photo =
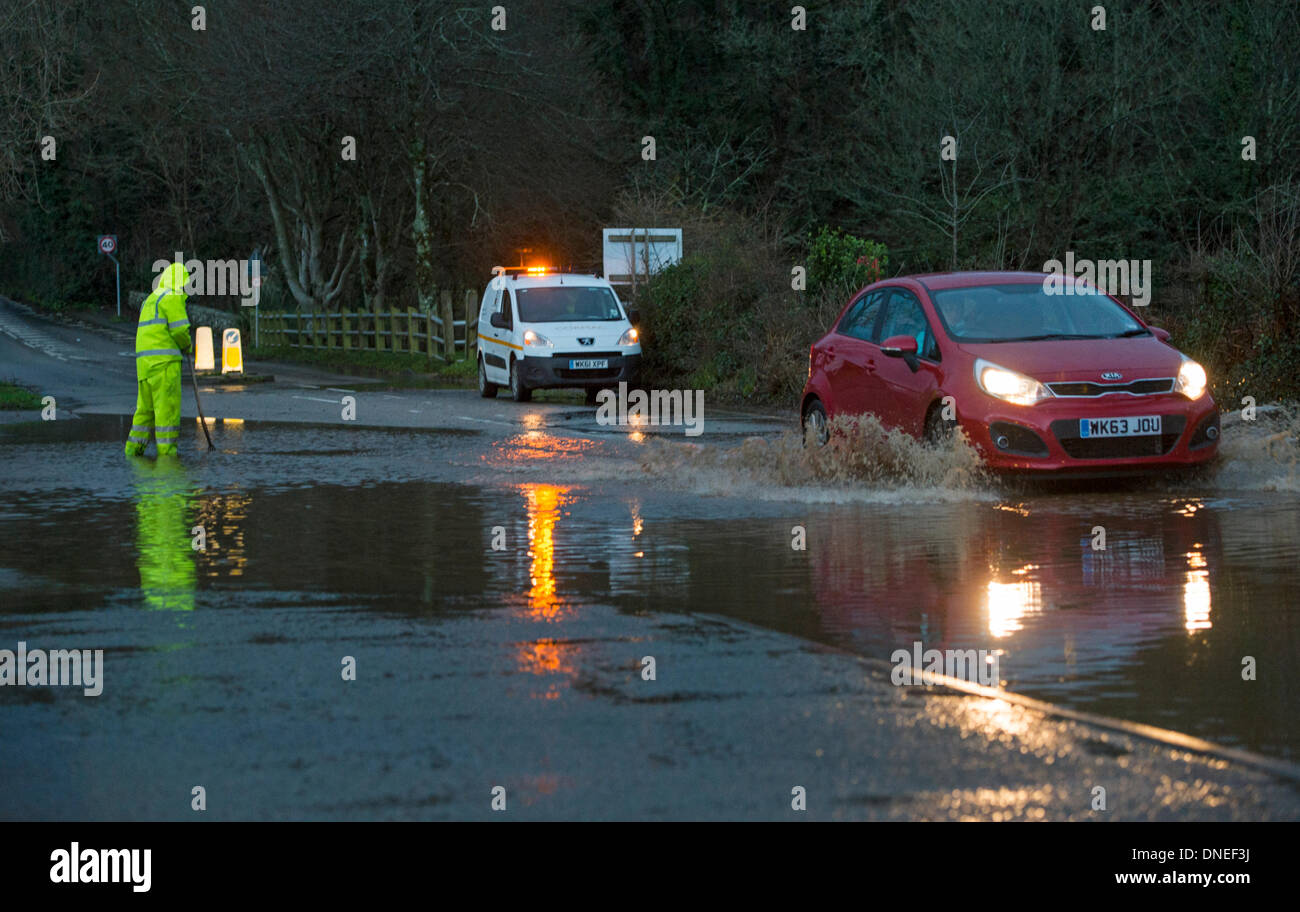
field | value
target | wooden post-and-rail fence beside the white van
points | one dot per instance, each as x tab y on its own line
436	336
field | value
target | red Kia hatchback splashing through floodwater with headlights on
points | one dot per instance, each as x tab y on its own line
1043	380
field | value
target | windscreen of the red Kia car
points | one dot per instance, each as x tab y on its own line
1025	312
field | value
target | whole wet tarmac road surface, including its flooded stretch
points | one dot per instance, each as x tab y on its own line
523	666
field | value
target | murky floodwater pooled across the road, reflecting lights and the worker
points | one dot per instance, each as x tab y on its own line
1197	583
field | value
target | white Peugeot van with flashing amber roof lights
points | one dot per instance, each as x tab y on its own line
541	331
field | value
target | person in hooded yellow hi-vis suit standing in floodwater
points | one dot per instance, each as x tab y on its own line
161	337
